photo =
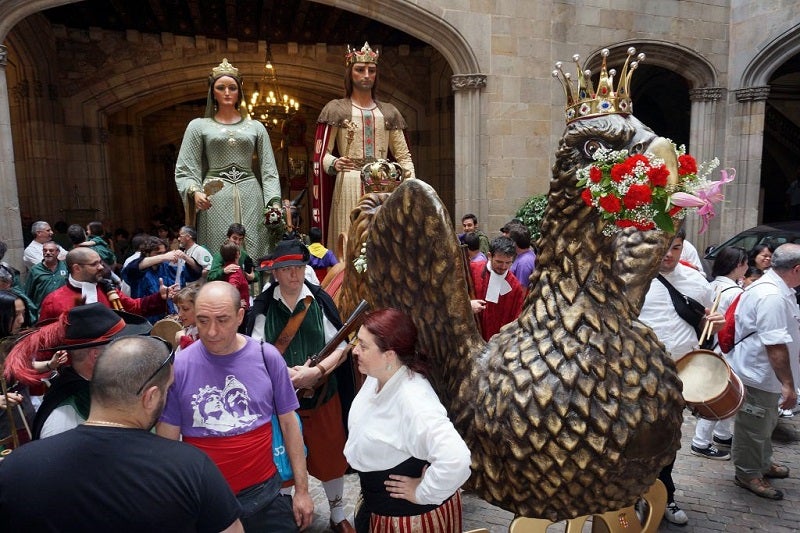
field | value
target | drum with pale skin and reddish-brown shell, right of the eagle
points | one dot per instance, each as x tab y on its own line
710	388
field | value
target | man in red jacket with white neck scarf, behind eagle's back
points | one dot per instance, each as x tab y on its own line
499	295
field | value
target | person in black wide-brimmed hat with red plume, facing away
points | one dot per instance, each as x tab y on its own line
88	328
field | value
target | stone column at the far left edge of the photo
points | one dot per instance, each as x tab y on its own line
10	223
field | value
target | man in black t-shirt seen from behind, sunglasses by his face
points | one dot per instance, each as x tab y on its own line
111	473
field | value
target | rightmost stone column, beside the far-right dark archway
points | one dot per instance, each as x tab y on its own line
745	145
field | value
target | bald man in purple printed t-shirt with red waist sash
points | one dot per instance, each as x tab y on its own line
225	391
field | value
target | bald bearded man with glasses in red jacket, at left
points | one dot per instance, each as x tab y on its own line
85	271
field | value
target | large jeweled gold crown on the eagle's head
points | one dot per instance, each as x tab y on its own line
584	101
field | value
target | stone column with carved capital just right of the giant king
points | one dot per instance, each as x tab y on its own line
470	182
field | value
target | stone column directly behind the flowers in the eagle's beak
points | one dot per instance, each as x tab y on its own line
704	146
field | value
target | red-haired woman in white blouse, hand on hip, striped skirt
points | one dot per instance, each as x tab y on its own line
409	457
